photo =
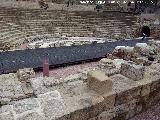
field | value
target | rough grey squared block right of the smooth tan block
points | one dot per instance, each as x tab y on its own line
132	71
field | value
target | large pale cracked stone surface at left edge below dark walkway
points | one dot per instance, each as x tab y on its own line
10	89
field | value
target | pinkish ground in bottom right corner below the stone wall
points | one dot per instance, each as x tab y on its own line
151	114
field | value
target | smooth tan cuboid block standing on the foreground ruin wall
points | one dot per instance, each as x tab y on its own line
99	82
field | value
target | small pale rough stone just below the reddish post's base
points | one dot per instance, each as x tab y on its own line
51	81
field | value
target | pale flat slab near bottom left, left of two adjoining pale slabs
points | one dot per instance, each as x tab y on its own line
25	105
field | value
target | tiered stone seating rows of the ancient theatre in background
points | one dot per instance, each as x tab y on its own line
18	23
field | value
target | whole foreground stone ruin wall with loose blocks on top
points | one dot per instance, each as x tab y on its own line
115	89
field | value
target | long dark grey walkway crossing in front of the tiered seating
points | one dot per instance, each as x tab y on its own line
13	60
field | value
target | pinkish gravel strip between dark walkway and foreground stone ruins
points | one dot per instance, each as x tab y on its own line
66	71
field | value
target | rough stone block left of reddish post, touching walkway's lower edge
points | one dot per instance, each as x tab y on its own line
25	74
